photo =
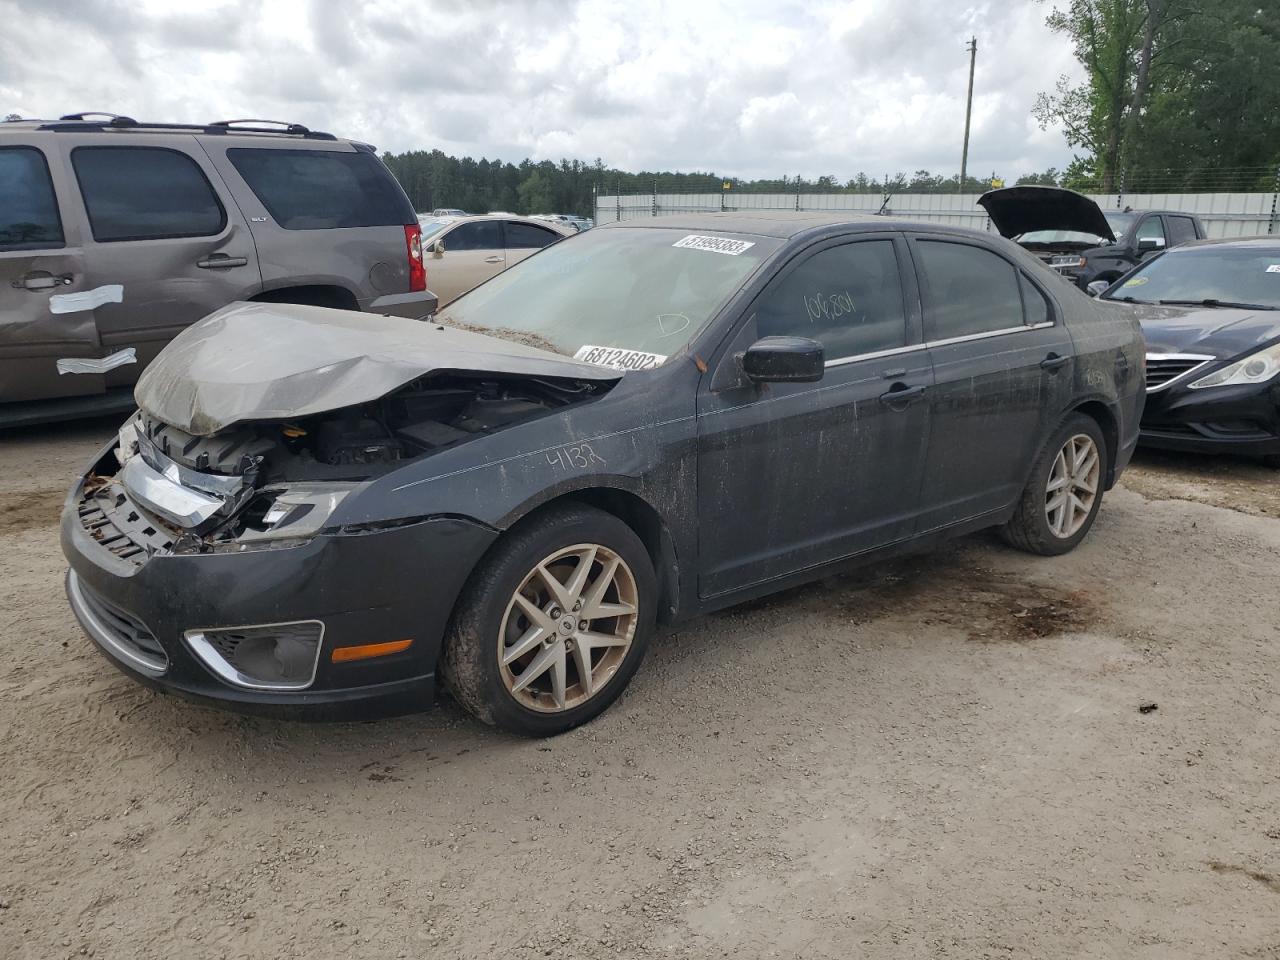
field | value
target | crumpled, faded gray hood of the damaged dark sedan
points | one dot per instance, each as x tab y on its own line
278	362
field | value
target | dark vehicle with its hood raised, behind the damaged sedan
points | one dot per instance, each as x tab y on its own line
1076	237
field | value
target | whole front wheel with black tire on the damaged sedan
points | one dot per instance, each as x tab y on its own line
554	627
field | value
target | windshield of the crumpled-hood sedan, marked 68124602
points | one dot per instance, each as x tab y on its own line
625	289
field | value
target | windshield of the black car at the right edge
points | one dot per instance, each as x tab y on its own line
1213	276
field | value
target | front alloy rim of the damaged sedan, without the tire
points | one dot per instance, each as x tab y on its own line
569	628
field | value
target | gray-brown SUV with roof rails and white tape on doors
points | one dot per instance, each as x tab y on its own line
117	235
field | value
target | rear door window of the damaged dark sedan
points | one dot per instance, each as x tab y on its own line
968	291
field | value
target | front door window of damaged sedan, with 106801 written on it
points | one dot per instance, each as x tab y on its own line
849	299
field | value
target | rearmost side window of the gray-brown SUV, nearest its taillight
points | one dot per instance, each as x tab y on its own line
322	190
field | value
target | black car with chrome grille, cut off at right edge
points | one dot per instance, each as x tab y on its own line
1212	317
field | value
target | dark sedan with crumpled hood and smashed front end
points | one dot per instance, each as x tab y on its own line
317	510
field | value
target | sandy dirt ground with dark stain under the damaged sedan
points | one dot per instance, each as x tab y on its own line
944	757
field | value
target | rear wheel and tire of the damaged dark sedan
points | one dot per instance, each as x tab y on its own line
1058	509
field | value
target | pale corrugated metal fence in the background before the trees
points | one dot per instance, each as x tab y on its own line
1223	214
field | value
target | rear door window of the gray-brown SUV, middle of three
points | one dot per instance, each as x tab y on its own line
145	194
